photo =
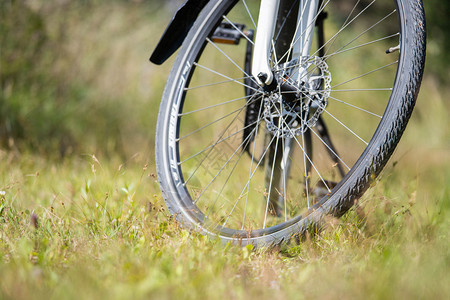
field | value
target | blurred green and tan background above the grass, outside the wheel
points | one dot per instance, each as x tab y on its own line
75	76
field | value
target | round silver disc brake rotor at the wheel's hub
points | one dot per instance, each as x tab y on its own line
297	103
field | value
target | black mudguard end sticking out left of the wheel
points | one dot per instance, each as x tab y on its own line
177	30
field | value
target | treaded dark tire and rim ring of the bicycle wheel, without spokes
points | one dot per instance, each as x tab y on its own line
356	181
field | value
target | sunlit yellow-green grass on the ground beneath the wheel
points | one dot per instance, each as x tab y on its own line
90	229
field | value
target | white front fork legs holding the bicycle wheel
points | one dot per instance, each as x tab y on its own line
300	45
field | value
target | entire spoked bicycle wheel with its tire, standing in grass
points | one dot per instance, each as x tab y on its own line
257	166
